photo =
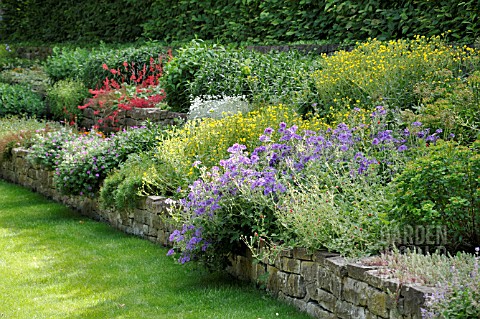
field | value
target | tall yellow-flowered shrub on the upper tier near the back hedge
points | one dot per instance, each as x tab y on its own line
378	72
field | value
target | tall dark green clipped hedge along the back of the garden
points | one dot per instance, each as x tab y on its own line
252	21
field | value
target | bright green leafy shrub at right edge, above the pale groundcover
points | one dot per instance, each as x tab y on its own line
442	188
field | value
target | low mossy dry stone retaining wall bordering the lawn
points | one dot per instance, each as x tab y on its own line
322	284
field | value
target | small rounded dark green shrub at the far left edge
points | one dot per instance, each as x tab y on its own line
20	100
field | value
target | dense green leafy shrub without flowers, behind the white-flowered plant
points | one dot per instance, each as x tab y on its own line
200	70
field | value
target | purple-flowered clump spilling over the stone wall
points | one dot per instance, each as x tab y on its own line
238	197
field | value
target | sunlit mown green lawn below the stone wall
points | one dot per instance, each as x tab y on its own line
55	263
